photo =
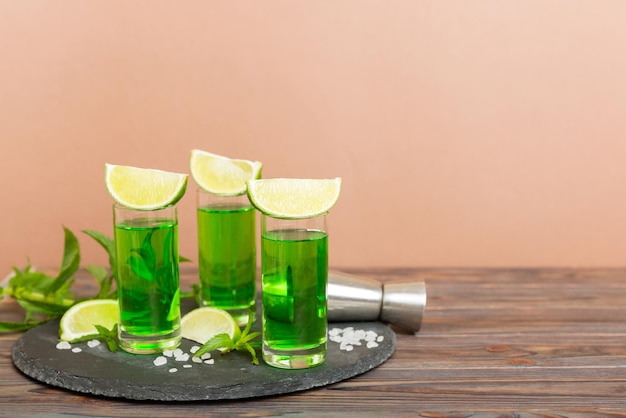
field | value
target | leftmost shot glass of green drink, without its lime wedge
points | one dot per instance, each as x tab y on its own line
148	281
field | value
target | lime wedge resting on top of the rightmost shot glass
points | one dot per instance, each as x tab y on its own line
294	198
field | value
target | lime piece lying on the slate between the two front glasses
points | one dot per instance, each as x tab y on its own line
202	324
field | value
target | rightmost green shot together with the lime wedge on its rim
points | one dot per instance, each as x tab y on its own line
294	267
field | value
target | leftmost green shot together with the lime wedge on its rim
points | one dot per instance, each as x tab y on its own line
145	224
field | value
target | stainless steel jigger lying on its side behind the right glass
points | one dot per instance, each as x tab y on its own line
353	298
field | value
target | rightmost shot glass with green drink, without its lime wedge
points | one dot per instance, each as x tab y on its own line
294	264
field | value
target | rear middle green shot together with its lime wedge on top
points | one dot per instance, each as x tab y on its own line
226	233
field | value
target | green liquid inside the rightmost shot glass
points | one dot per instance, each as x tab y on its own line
295	275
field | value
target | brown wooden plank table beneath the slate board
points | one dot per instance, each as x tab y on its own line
539	342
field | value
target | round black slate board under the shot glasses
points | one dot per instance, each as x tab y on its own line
98	371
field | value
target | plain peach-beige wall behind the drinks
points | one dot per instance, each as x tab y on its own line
467	133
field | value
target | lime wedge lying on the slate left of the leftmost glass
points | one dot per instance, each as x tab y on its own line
80	319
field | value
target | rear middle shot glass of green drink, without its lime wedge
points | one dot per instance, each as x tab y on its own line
227	253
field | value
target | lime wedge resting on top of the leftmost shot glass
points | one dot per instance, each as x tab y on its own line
144	188
